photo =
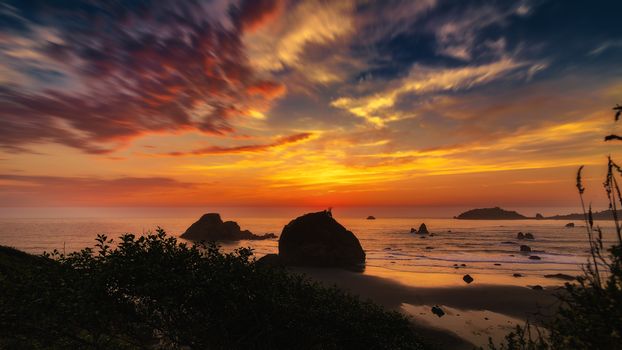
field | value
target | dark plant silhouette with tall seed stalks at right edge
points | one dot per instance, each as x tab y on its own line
590	312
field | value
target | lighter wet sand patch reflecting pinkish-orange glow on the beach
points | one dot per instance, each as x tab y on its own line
473	325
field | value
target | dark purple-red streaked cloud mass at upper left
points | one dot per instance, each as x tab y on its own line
128	68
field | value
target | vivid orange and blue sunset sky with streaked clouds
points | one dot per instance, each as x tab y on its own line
428	103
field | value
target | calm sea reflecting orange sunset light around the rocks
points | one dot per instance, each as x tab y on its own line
489	249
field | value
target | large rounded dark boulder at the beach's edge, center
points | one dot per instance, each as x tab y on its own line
317	239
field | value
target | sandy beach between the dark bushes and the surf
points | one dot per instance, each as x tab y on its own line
474	311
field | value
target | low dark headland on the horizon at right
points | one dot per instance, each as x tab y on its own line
497	213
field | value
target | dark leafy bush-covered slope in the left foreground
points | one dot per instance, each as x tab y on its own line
151	292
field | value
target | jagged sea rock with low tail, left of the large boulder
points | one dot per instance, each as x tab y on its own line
210	227
